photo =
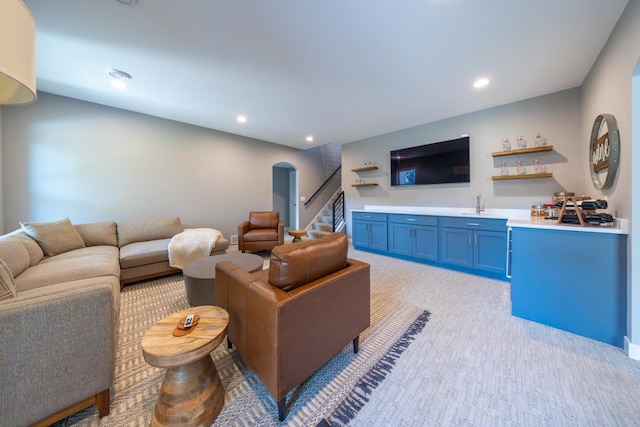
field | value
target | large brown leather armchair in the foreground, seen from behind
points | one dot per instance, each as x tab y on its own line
289	320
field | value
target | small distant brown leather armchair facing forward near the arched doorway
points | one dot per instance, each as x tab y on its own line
264	230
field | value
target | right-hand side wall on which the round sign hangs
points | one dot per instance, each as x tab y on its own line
608	89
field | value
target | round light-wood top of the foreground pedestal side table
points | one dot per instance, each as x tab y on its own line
163	350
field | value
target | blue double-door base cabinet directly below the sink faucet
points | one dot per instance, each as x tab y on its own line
476	245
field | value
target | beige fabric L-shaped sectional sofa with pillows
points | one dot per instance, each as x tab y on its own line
59	322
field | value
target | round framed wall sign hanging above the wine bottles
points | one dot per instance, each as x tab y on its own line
604	151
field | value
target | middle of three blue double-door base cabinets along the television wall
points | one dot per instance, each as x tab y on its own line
413	236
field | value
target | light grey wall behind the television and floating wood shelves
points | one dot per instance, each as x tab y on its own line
555	116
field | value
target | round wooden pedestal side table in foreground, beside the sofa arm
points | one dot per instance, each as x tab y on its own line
191	393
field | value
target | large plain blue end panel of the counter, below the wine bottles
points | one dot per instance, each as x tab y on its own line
572	280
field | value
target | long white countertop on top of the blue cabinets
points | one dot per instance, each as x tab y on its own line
514	217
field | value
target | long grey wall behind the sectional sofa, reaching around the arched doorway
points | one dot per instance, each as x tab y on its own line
64	157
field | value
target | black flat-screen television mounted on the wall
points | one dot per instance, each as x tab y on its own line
438	163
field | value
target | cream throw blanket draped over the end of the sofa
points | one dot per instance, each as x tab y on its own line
190	245
